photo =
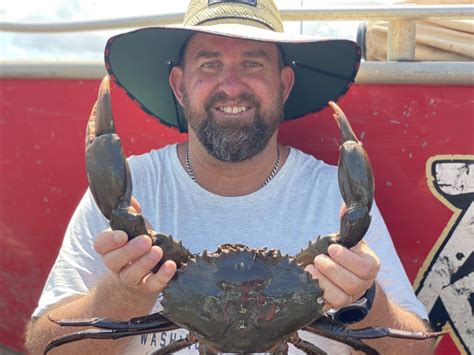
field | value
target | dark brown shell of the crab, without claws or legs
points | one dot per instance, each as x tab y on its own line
252	297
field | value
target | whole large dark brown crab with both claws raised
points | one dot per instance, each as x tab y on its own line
236	299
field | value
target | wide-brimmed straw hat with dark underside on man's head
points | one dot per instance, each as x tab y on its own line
140	61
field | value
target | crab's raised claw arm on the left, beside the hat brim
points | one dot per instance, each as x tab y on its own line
110	180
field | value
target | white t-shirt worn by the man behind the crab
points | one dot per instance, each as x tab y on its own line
300	203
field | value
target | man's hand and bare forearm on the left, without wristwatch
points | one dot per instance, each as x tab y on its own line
129	290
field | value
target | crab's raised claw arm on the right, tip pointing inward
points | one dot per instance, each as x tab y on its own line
356	184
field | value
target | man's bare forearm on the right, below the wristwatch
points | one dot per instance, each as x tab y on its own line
385	313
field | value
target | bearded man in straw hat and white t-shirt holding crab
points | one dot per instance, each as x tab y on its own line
230	182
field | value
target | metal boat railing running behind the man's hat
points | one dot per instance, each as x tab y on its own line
400	67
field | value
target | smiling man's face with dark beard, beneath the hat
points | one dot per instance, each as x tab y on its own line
233	93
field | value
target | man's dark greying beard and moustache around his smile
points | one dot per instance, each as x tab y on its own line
232	140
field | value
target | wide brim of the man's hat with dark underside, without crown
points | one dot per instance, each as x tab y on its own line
140	61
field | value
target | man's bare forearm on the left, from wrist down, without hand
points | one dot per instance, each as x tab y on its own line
106	300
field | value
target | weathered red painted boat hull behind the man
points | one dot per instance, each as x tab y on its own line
42	125
